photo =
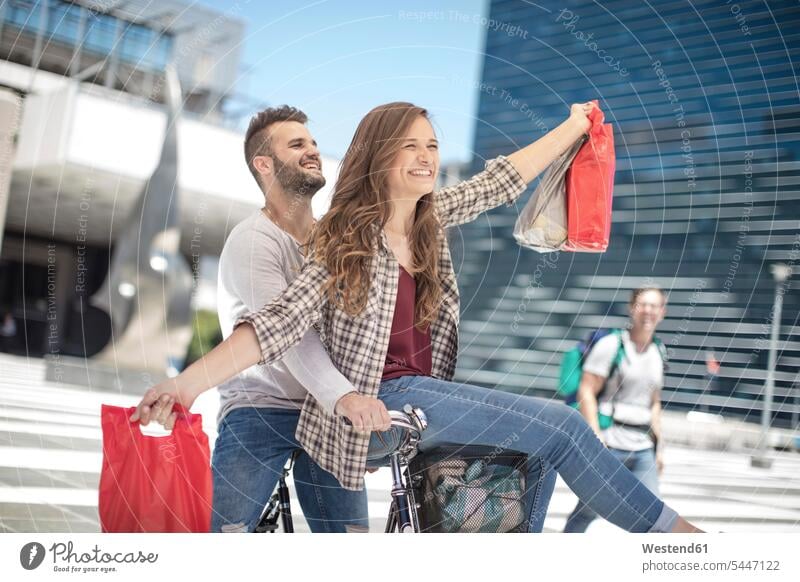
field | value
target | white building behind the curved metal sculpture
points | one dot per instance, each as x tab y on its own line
88	79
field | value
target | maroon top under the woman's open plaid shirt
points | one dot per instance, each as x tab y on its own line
409	349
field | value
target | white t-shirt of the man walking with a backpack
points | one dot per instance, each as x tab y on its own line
629	393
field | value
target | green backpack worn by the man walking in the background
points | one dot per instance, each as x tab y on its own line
572	368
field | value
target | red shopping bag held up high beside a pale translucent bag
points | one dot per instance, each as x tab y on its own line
590	184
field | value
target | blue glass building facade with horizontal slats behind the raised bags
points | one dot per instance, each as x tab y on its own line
704	101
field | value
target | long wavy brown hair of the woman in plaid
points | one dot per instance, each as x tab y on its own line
347	237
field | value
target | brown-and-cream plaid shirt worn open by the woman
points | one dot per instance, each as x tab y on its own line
358	345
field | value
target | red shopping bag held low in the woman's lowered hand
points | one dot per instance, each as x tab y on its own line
154	484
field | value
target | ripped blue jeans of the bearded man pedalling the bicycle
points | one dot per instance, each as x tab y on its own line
251	450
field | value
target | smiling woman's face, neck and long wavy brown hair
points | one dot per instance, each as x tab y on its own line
387	183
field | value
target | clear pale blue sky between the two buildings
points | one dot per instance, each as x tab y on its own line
336	60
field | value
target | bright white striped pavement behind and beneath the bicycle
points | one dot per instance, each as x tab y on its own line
50	459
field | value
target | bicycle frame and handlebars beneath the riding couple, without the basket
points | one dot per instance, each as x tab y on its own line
405	433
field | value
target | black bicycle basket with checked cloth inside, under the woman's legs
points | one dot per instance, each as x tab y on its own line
470	489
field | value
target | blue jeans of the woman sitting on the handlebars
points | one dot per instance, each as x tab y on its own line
554	436
